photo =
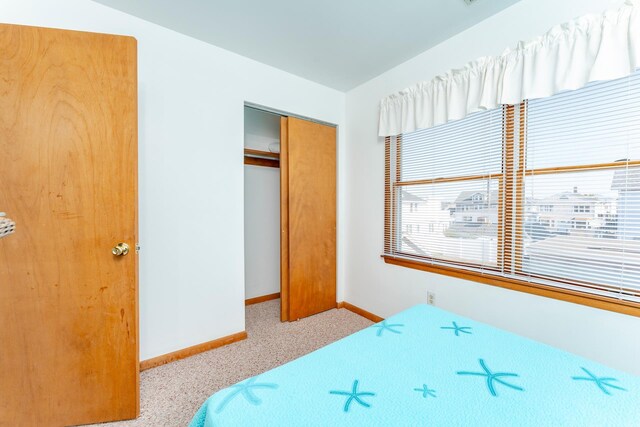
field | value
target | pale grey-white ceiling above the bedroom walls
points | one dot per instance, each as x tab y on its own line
337	43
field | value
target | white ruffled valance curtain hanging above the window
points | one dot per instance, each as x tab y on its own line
590	48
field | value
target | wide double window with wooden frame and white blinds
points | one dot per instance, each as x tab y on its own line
543	196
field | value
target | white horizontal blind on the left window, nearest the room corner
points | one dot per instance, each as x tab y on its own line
446	191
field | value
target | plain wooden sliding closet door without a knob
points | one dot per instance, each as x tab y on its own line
308	211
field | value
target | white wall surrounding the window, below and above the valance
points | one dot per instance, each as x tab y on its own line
610	338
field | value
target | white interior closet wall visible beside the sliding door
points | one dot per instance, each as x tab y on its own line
261	208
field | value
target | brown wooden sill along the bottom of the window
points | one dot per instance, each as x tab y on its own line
603	303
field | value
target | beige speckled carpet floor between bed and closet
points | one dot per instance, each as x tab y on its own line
172	393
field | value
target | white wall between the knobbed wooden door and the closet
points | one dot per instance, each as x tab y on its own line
191	115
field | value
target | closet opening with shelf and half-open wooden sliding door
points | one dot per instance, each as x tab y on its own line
290	212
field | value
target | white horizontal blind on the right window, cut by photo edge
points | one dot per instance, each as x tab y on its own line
581	225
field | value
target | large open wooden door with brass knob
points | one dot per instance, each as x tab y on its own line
68	178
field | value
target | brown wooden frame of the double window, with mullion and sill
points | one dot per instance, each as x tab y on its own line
511	196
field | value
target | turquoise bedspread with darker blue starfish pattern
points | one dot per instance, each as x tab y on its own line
426	366
